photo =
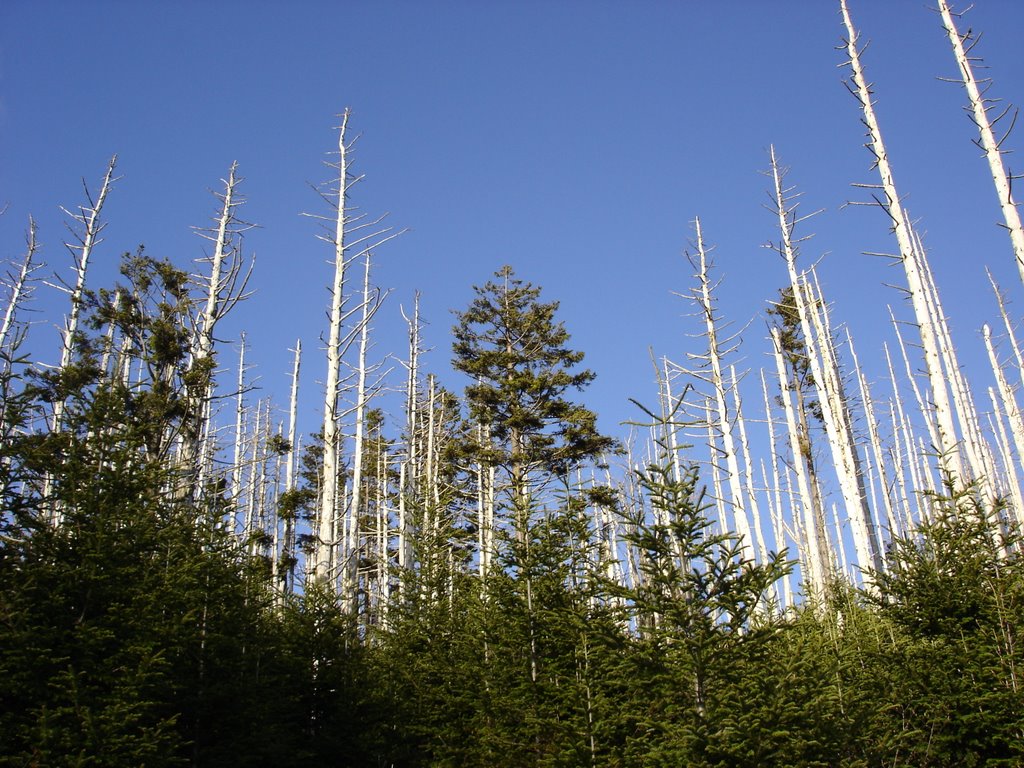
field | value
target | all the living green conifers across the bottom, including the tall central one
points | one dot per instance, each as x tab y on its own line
137	630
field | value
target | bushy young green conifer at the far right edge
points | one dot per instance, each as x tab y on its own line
955	602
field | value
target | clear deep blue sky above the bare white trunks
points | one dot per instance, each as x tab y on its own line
574	141
